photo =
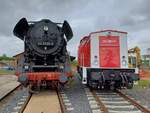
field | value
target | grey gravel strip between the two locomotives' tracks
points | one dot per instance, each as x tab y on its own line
78	99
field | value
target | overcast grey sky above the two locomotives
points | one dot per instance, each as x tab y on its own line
84	16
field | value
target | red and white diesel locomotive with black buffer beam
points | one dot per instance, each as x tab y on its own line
103	60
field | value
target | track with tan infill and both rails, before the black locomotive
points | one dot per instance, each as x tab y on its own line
44	102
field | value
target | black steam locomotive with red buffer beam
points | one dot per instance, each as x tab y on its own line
46	60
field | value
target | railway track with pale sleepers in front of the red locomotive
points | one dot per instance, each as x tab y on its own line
113	102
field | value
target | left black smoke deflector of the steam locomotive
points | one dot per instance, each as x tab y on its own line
21	28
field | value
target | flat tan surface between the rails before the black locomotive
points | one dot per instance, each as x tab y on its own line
50	100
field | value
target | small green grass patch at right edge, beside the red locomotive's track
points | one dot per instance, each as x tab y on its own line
143	84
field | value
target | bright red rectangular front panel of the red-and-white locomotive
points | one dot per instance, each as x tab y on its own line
109	51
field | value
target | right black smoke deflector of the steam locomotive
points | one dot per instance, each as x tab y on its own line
67	30
